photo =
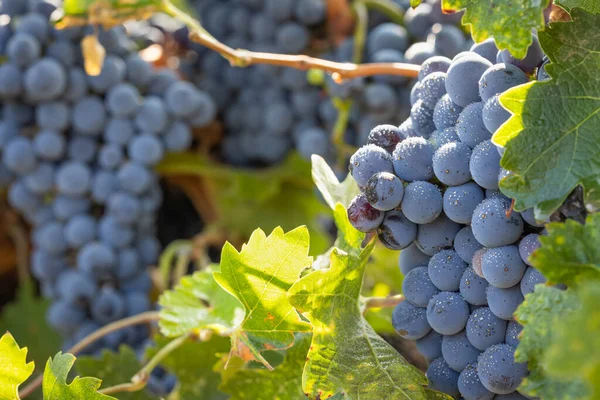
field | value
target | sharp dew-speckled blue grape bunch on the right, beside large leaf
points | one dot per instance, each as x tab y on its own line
430	189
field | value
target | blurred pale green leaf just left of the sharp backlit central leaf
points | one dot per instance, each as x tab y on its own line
198	302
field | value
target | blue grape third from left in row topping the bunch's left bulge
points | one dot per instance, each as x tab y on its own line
451	164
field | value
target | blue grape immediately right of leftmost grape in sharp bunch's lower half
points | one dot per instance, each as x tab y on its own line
447	313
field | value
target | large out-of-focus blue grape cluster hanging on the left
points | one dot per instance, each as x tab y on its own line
77	152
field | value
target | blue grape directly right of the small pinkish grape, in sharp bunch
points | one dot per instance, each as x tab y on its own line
502	266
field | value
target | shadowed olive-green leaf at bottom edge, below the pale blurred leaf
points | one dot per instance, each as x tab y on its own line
193	364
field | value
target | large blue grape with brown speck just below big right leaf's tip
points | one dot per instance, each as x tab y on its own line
491	225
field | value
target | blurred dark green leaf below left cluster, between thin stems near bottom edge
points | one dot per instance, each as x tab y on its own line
113	369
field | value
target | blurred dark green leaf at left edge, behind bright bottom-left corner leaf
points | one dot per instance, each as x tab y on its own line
29	330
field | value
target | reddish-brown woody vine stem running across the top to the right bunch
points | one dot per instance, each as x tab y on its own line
246	58
